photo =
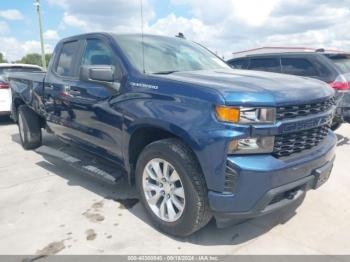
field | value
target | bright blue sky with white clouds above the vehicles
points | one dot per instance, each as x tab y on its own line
224	26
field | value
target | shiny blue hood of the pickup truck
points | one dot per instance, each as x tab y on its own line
239	87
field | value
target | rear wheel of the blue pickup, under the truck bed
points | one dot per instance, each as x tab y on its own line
29	128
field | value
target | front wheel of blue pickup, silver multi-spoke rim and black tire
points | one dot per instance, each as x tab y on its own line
172	187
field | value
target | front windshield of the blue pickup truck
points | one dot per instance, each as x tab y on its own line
166	55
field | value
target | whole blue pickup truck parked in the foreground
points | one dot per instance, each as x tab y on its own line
197	138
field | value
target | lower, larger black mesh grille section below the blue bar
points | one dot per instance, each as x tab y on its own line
291	143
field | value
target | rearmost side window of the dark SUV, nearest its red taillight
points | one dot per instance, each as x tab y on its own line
298	66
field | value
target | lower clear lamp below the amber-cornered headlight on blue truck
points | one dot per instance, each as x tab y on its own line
257	145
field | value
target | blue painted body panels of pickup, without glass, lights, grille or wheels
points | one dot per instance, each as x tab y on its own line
182	103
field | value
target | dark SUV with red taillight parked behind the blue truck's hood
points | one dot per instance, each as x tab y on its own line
330	66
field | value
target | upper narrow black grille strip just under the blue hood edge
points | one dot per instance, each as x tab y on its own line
289	112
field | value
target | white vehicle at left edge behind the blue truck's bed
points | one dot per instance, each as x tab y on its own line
5	92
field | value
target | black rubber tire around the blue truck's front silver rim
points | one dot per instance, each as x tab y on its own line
195	213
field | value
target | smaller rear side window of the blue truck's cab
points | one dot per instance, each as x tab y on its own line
67	58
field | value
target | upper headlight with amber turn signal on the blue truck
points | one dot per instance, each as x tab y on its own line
246	115
